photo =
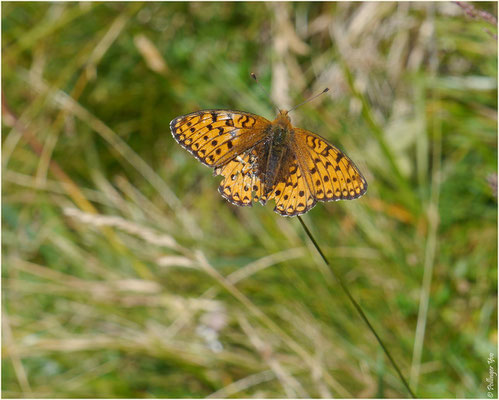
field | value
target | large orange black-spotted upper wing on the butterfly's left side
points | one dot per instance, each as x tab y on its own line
215	137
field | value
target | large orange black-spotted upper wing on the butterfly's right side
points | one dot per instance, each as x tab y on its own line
329	173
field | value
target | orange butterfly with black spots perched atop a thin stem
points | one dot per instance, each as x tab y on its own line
262	160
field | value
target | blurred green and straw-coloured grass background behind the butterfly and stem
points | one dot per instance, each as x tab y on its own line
126	274
